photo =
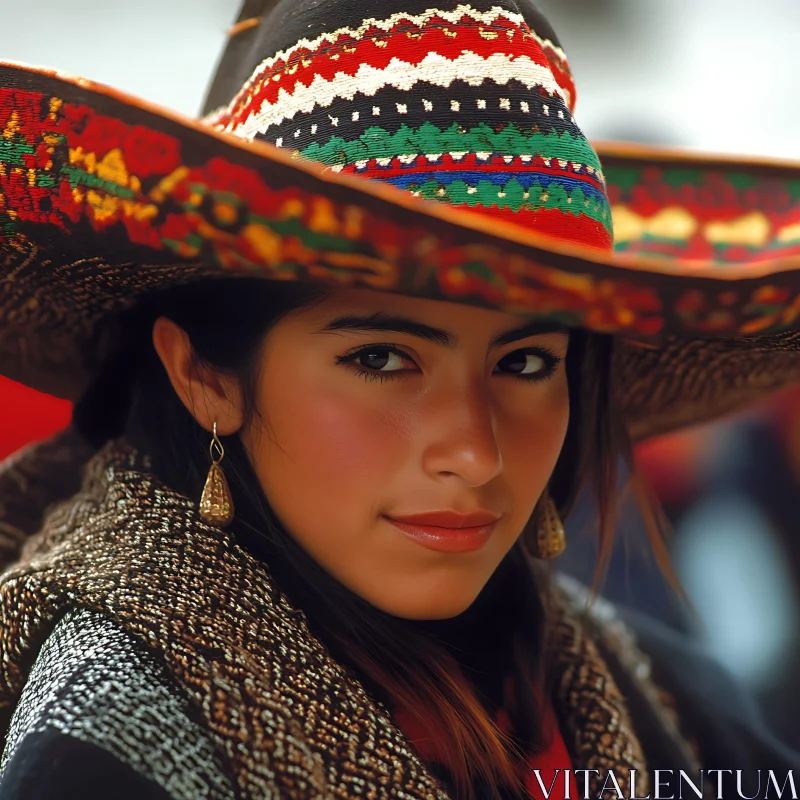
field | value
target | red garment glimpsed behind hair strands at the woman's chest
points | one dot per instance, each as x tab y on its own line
555	757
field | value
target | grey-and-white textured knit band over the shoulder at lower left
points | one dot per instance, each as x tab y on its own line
93	682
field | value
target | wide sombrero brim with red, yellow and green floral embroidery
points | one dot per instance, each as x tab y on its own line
105	198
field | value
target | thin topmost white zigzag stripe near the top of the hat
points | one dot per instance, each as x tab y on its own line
484	17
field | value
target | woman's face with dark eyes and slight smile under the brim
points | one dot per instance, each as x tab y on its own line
374	405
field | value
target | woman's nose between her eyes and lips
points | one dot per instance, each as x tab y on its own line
460	434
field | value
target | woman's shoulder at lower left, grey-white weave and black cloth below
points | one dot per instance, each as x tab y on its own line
99	712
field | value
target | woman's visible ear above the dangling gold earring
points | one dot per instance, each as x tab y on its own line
208	395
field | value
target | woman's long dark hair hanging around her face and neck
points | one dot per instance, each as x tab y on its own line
226	323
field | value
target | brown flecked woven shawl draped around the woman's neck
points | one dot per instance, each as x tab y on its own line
288	719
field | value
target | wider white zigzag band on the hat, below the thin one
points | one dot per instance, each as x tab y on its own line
434	68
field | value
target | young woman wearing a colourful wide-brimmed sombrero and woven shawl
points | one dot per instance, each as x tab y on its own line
294	544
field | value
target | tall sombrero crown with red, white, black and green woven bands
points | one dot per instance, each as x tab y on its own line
467	103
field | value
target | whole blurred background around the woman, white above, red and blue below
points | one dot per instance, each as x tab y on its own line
714	75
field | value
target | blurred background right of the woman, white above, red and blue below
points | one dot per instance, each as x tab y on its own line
715	75
